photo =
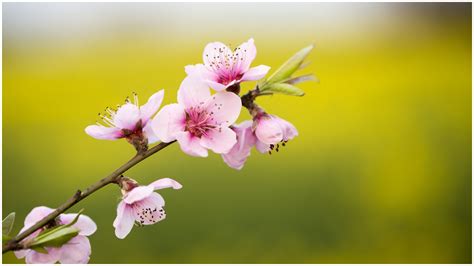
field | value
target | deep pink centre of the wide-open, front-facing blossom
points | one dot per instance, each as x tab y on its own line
199	121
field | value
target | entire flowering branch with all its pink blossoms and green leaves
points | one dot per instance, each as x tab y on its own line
198	122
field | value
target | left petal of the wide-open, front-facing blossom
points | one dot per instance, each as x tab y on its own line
169	120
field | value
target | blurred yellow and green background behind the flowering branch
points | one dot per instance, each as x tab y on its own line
381	171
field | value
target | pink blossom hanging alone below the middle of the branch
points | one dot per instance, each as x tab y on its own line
141	204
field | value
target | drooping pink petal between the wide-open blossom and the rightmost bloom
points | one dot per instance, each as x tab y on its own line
246	139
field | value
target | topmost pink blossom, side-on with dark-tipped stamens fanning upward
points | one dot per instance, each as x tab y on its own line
223	67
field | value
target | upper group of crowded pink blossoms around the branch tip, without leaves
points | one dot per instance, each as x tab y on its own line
200	120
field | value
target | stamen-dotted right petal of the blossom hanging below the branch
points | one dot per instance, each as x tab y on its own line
149	210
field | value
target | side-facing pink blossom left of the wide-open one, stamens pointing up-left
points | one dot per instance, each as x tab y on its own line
129	121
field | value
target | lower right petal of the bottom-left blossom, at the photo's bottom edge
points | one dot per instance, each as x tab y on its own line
77	250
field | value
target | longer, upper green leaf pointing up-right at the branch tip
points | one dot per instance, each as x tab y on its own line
288	68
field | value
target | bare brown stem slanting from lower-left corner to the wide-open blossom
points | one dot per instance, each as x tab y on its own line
14	243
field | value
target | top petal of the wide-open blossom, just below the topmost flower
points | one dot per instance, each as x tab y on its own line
193	92
